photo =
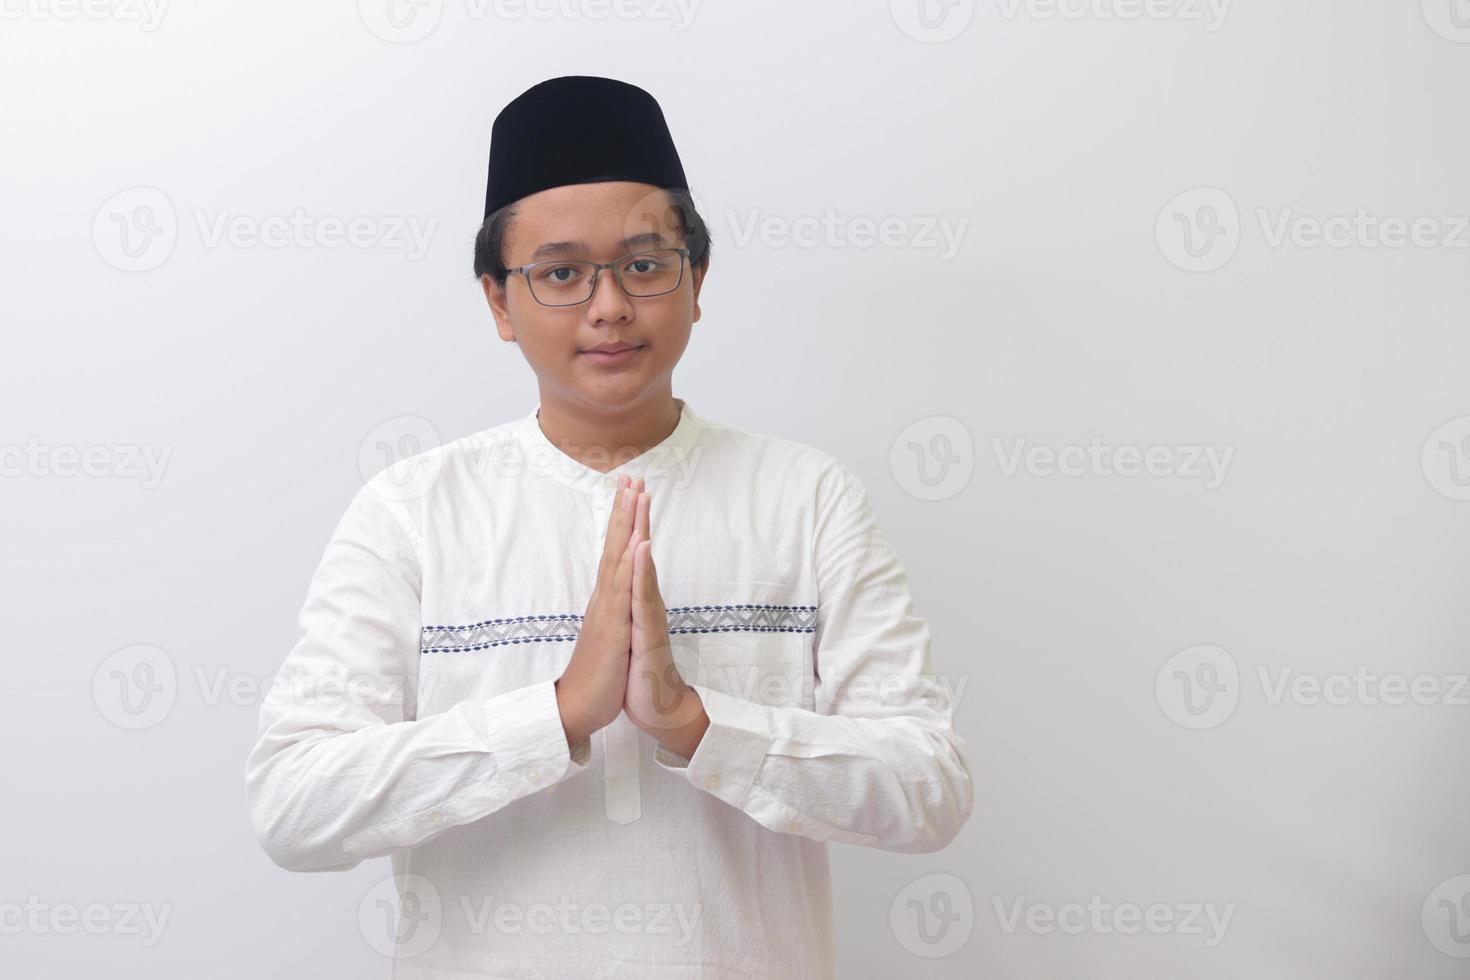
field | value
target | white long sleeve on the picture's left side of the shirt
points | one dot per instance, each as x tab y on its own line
343	769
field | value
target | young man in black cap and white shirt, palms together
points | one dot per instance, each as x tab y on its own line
623	672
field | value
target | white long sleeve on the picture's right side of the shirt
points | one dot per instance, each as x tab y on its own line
878	762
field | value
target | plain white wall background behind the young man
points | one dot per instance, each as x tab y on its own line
1334	541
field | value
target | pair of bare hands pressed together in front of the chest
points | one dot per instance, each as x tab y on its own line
623	660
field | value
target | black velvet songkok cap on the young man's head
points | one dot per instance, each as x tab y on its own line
578	130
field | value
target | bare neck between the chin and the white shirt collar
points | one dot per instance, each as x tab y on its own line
603	439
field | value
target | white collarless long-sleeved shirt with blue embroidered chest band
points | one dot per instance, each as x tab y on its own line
417	716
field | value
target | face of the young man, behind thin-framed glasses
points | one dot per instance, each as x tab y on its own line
600	223
